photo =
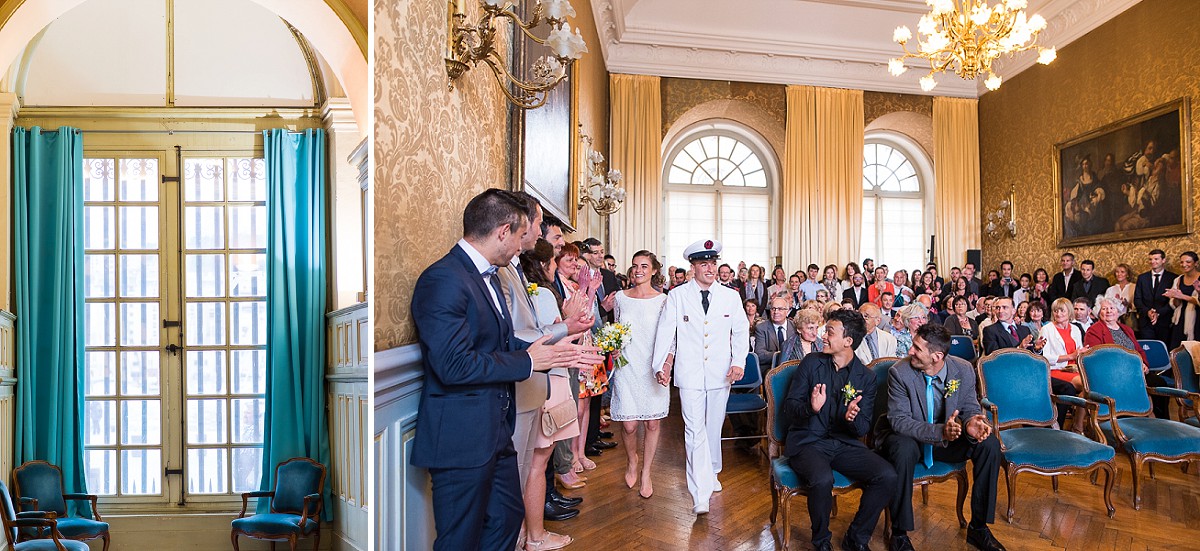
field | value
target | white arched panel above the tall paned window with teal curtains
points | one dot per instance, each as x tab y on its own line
221	53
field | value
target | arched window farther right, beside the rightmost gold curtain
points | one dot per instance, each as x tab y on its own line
895	203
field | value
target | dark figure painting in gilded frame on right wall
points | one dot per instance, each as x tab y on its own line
1127	181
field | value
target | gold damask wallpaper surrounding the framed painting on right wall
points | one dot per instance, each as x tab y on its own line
1133	63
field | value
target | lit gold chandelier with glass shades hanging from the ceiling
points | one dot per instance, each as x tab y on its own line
968	37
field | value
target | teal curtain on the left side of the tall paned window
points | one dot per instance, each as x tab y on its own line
47	184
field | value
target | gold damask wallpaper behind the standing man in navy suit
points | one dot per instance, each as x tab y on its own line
434	151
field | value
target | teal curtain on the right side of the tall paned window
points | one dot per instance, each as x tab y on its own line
296	302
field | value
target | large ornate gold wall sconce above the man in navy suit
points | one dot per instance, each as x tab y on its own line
471	45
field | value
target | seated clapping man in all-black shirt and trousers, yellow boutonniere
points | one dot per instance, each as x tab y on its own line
829	411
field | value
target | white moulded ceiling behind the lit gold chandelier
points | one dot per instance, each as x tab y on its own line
841	44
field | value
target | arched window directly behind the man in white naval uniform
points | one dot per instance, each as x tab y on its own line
718	185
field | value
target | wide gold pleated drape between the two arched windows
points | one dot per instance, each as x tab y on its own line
823	189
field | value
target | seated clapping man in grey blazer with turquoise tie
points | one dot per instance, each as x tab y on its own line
934	415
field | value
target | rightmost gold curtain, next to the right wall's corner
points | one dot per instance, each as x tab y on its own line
957	172
